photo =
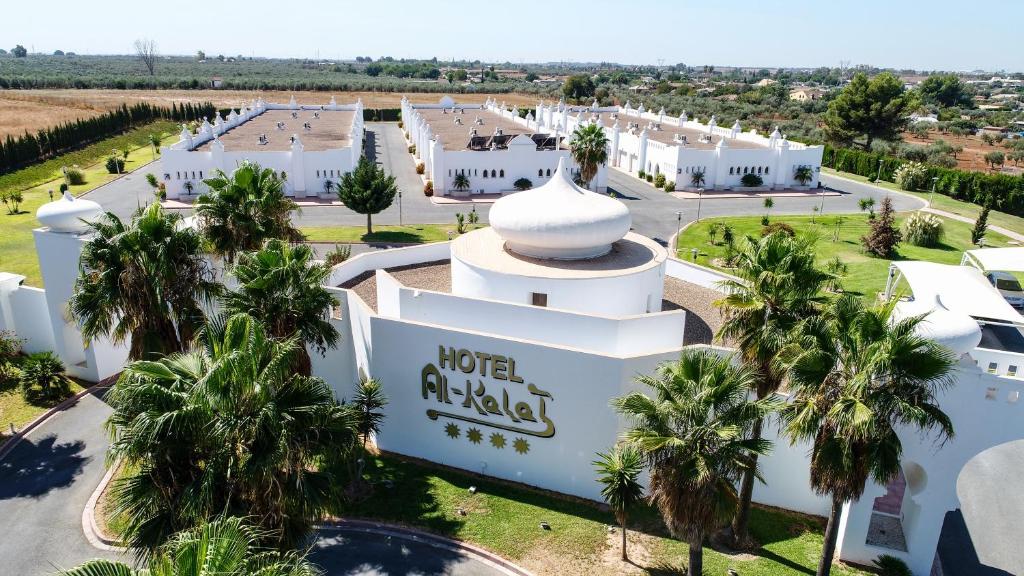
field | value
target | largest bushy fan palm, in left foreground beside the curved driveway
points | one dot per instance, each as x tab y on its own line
230	429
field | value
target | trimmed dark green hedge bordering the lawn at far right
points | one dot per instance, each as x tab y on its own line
1005	192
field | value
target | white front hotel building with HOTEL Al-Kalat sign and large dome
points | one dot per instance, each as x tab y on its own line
501	350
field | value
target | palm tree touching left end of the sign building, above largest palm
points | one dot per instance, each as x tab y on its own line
283	289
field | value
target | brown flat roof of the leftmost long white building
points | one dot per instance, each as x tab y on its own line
330	132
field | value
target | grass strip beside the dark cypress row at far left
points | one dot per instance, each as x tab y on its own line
18	250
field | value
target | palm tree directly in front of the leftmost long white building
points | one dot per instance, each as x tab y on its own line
243	211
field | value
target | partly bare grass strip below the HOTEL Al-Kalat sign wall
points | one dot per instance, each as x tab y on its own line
505	519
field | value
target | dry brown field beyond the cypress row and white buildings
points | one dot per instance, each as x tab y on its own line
32	110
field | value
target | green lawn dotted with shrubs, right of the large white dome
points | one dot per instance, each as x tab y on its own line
867	275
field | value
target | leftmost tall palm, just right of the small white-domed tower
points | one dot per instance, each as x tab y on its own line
143	282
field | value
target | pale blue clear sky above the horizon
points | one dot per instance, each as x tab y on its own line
901	34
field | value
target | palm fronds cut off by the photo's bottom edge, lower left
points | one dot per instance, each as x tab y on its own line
225	547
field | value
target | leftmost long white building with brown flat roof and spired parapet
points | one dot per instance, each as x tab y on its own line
307	145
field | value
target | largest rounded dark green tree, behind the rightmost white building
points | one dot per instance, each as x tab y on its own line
871	109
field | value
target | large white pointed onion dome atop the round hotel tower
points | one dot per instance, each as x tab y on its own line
560	221
